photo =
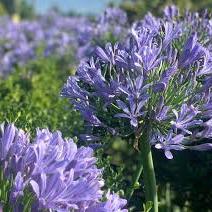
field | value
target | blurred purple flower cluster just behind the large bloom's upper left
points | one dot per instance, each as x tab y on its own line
111	26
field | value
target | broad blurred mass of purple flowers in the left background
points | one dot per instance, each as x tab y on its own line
20	42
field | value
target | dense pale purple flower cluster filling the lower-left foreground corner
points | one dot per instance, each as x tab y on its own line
60	176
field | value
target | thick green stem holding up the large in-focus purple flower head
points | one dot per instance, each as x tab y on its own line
150	188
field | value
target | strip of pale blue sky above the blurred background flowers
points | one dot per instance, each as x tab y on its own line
82	6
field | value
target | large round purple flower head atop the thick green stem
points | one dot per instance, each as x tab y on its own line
160	76
